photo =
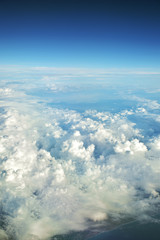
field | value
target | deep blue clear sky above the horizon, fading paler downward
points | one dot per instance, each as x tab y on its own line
94	34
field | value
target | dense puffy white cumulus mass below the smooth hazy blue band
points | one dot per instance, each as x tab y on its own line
55	162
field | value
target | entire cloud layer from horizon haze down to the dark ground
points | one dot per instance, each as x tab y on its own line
64	170
